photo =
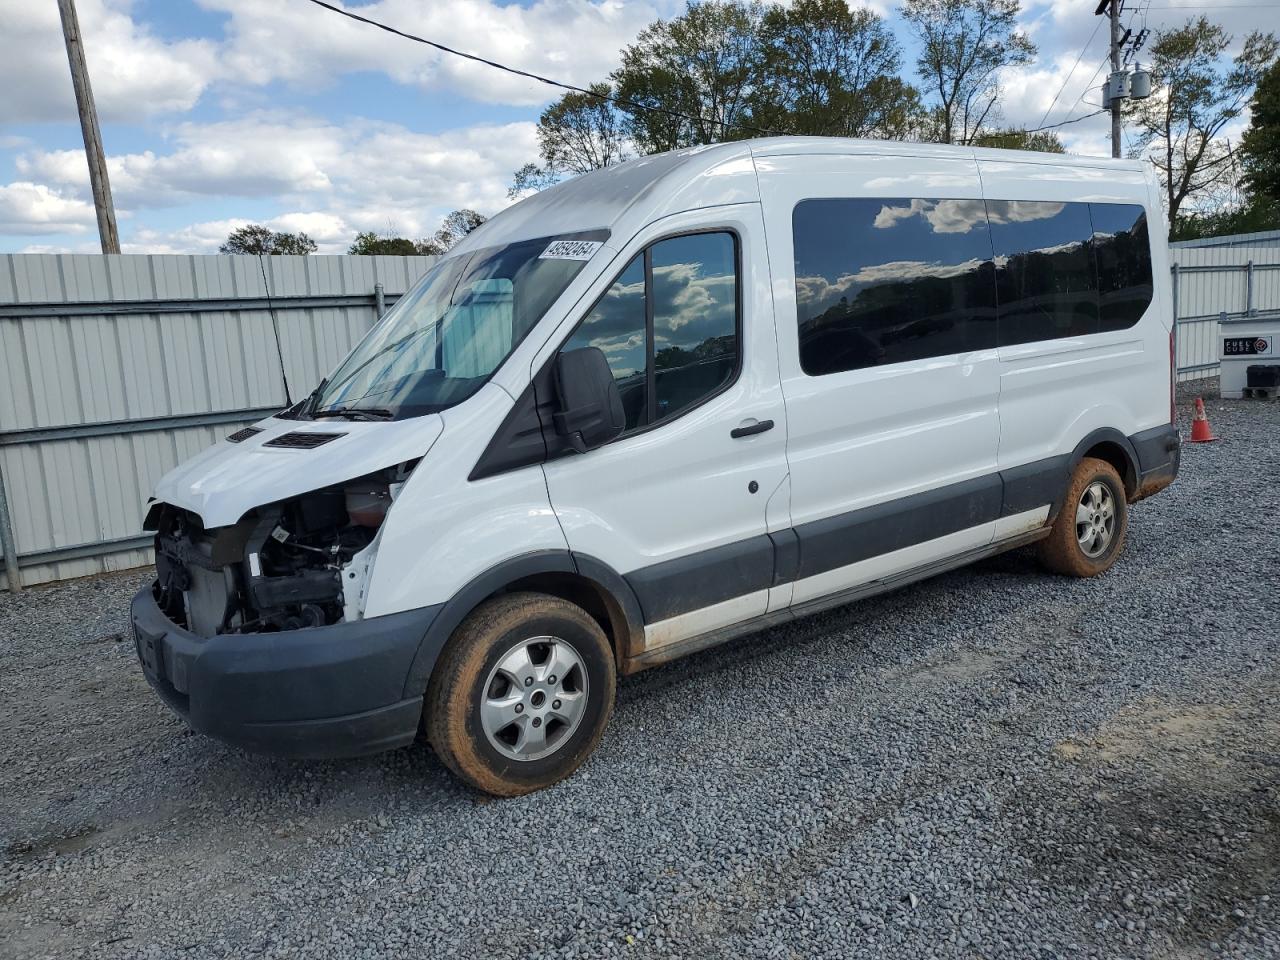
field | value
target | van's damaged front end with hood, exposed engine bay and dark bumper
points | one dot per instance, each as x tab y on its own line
254	629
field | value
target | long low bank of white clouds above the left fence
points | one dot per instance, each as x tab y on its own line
332	180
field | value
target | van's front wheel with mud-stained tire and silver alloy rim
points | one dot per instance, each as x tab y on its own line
522	693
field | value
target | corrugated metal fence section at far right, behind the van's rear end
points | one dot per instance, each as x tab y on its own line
1214	281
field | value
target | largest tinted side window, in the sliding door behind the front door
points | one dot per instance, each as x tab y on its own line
889	281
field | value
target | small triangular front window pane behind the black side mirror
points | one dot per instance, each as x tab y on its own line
618	327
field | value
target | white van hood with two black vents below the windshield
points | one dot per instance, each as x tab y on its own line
226	482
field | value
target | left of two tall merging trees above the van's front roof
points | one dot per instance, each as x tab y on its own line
705	65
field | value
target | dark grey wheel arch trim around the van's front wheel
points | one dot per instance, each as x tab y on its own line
579	579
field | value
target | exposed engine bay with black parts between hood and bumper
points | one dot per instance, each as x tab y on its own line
303	563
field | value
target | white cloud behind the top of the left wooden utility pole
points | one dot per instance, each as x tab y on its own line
134	74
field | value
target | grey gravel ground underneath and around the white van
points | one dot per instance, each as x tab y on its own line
994	764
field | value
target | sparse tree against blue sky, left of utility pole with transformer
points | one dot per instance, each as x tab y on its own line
964	44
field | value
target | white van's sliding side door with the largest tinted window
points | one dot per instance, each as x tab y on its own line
885	299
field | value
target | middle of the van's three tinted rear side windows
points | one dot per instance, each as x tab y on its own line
1046	285
